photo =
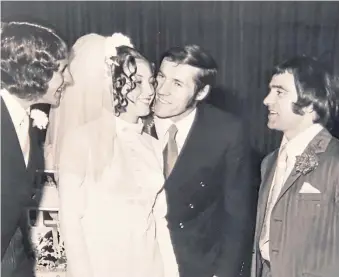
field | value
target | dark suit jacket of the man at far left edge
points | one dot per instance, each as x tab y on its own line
16	192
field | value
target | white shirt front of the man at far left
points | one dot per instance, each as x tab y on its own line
20	119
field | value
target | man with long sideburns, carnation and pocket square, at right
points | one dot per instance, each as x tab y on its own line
297	232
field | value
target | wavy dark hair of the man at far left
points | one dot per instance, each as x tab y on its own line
29	57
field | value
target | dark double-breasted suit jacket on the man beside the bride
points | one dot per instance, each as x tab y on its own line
211	195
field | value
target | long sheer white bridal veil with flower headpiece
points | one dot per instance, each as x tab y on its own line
88	105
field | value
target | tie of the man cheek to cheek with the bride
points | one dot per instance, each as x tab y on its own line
170	152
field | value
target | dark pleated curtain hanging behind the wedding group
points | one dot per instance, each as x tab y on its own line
246	39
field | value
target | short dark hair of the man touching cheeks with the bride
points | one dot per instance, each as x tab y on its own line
195	56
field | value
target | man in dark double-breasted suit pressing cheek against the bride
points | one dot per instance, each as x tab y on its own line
209	185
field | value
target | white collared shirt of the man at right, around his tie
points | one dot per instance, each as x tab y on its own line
294	147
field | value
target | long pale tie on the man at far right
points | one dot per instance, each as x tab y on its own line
279	179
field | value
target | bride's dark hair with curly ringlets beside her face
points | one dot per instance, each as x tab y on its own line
124	74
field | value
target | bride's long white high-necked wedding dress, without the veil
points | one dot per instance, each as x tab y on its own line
116	226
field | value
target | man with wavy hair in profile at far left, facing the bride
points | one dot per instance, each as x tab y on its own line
33	70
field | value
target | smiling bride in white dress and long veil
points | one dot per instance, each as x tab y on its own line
111	219
